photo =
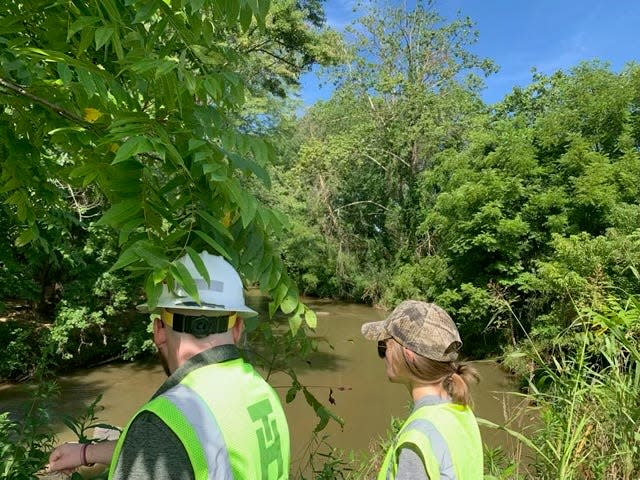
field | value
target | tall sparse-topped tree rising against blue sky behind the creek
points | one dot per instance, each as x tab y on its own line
400	100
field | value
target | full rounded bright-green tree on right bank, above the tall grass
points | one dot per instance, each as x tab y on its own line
535	210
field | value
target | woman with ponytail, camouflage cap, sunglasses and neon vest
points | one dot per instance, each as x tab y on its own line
419	343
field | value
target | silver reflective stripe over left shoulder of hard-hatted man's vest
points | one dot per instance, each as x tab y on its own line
206	428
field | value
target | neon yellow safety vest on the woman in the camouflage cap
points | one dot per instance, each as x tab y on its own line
458	427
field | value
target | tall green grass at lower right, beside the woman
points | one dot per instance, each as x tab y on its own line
587	398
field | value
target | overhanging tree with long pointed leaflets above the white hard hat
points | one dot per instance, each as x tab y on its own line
131	111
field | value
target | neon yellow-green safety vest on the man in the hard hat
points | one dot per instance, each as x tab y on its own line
225	406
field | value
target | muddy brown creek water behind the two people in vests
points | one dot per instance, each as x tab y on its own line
345	364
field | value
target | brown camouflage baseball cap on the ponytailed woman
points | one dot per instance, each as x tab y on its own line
422	327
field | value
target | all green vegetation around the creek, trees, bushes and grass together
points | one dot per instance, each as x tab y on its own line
136	132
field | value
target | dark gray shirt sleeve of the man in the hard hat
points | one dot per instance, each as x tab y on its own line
152	451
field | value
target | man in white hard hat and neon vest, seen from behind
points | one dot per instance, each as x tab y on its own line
214	417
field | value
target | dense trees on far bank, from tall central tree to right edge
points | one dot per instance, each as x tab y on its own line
512	217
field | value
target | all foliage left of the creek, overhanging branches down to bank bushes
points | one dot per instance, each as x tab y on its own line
133	133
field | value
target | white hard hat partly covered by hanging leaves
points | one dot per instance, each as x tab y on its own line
222	295
